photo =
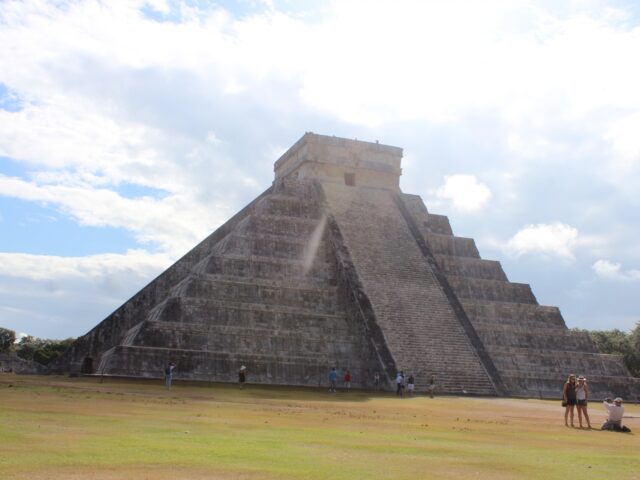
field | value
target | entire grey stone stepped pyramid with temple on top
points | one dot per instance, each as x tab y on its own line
334	266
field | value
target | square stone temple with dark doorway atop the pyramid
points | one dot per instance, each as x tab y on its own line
340	160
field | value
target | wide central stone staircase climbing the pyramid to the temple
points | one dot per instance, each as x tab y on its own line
419	326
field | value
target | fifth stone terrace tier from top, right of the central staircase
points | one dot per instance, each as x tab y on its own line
480	289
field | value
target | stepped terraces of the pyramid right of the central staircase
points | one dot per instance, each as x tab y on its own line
529	344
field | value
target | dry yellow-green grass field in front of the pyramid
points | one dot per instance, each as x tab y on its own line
61	428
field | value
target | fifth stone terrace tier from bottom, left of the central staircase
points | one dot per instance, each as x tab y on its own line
260	266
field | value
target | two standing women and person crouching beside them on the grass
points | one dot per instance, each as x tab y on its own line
575	396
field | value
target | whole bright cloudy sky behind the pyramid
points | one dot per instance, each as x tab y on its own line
131	130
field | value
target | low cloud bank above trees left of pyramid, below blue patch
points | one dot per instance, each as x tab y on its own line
55	297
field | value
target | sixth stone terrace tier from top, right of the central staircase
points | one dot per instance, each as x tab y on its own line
512	313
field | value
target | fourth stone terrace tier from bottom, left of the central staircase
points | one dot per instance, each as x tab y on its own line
323	300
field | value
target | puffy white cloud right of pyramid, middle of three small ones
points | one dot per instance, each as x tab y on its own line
551	240
